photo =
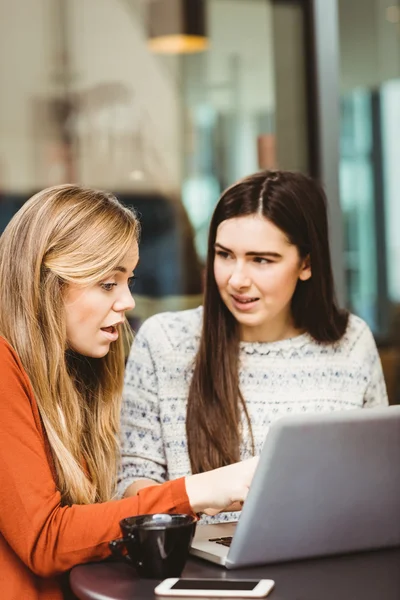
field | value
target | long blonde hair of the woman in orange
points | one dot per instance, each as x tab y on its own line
67	234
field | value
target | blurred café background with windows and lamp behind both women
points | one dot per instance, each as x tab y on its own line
167	102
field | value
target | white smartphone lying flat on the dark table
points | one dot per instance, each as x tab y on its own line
217	588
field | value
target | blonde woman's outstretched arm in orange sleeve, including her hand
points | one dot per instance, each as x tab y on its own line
50	538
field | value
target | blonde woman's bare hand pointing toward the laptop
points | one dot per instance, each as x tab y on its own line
218	489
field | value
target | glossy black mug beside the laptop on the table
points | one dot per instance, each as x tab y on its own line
157	545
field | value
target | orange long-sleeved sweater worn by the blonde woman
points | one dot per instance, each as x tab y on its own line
39	538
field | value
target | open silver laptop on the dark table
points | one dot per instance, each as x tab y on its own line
325	484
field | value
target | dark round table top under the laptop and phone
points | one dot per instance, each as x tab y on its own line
363	576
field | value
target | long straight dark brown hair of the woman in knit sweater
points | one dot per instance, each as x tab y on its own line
297	205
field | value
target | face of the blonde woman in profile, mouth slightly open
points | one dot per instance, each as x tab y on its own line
95	313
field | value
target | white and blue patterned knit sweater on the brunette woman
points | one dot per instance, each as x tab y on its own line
296	375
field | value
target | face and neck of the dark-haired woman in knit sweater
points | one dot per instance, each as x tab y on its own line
256	270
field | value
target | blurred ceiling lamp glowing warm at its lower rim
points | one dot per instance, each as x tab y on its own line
177	26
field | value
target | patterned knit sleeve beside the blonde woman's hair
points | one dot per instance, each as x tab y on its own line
143	454
